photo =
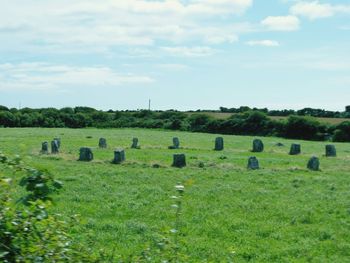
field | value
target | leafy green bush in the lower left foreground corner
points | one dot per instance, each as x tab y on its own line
30	233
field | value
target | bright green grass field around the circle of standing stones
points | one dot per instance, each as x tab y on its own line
281	213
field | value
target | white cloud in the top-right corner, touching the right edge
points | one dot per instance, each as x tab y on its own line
315	9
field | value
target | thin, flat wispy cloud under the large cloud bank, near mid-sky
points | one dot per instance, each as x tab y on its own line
190	51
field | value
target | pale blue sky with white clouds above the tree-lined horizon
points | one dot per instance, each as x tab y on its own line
181	54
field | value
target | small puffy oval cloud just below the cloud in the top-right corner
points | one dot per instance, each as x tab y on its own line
281	23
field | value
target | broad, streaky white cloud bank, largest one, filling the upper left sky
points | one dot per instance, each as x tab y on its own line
58	25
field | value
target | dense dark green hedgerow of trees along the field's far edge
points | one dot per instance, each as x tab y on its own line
249	122
